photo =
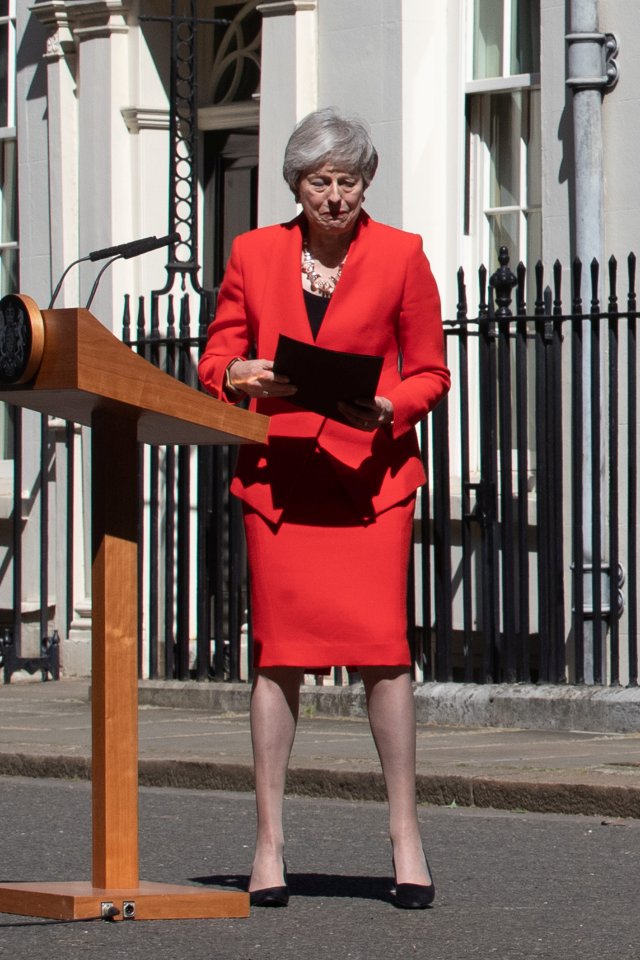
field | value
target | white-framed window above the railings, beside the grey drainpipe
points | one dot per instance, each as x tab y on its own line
503	190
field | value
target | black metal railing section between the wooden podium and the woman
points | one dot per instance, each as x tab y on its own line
193	601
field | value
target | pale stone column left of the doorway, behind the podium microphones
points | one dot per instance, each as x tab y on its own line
90	203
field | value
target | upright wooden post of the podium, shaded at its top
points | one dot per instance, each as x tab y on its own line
114	654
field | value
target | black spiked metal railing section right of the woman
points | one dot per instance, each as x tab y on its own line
533	541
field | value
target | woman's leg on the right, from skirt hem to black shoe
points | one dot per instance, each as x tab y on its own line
393	724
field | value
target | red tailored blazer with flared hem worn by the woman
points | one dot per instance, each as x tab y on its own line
386	303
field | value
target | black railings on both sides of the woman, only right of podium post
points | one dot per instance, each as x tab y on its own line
509	581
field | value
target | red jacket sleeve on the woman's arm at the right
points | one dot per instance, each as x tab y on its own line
425	376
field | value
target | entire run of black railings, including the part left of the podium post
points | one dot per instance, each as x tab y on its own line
524	567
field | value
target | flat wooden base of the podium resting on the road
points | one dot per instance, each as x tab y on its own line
147	901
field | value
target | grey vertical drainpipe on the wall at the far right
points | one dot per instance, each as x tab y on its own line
592	70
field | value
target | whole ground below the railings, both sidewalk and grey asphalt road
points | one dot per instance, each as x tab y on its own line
511	883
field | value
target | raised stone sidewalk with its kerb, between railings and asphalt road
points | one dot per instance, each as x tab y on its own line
46	732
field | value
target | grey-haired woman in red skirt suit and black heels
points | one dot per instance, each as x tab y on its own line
328	505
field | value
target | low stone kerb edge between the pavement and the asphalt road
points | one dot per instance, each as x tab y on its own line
437	790
